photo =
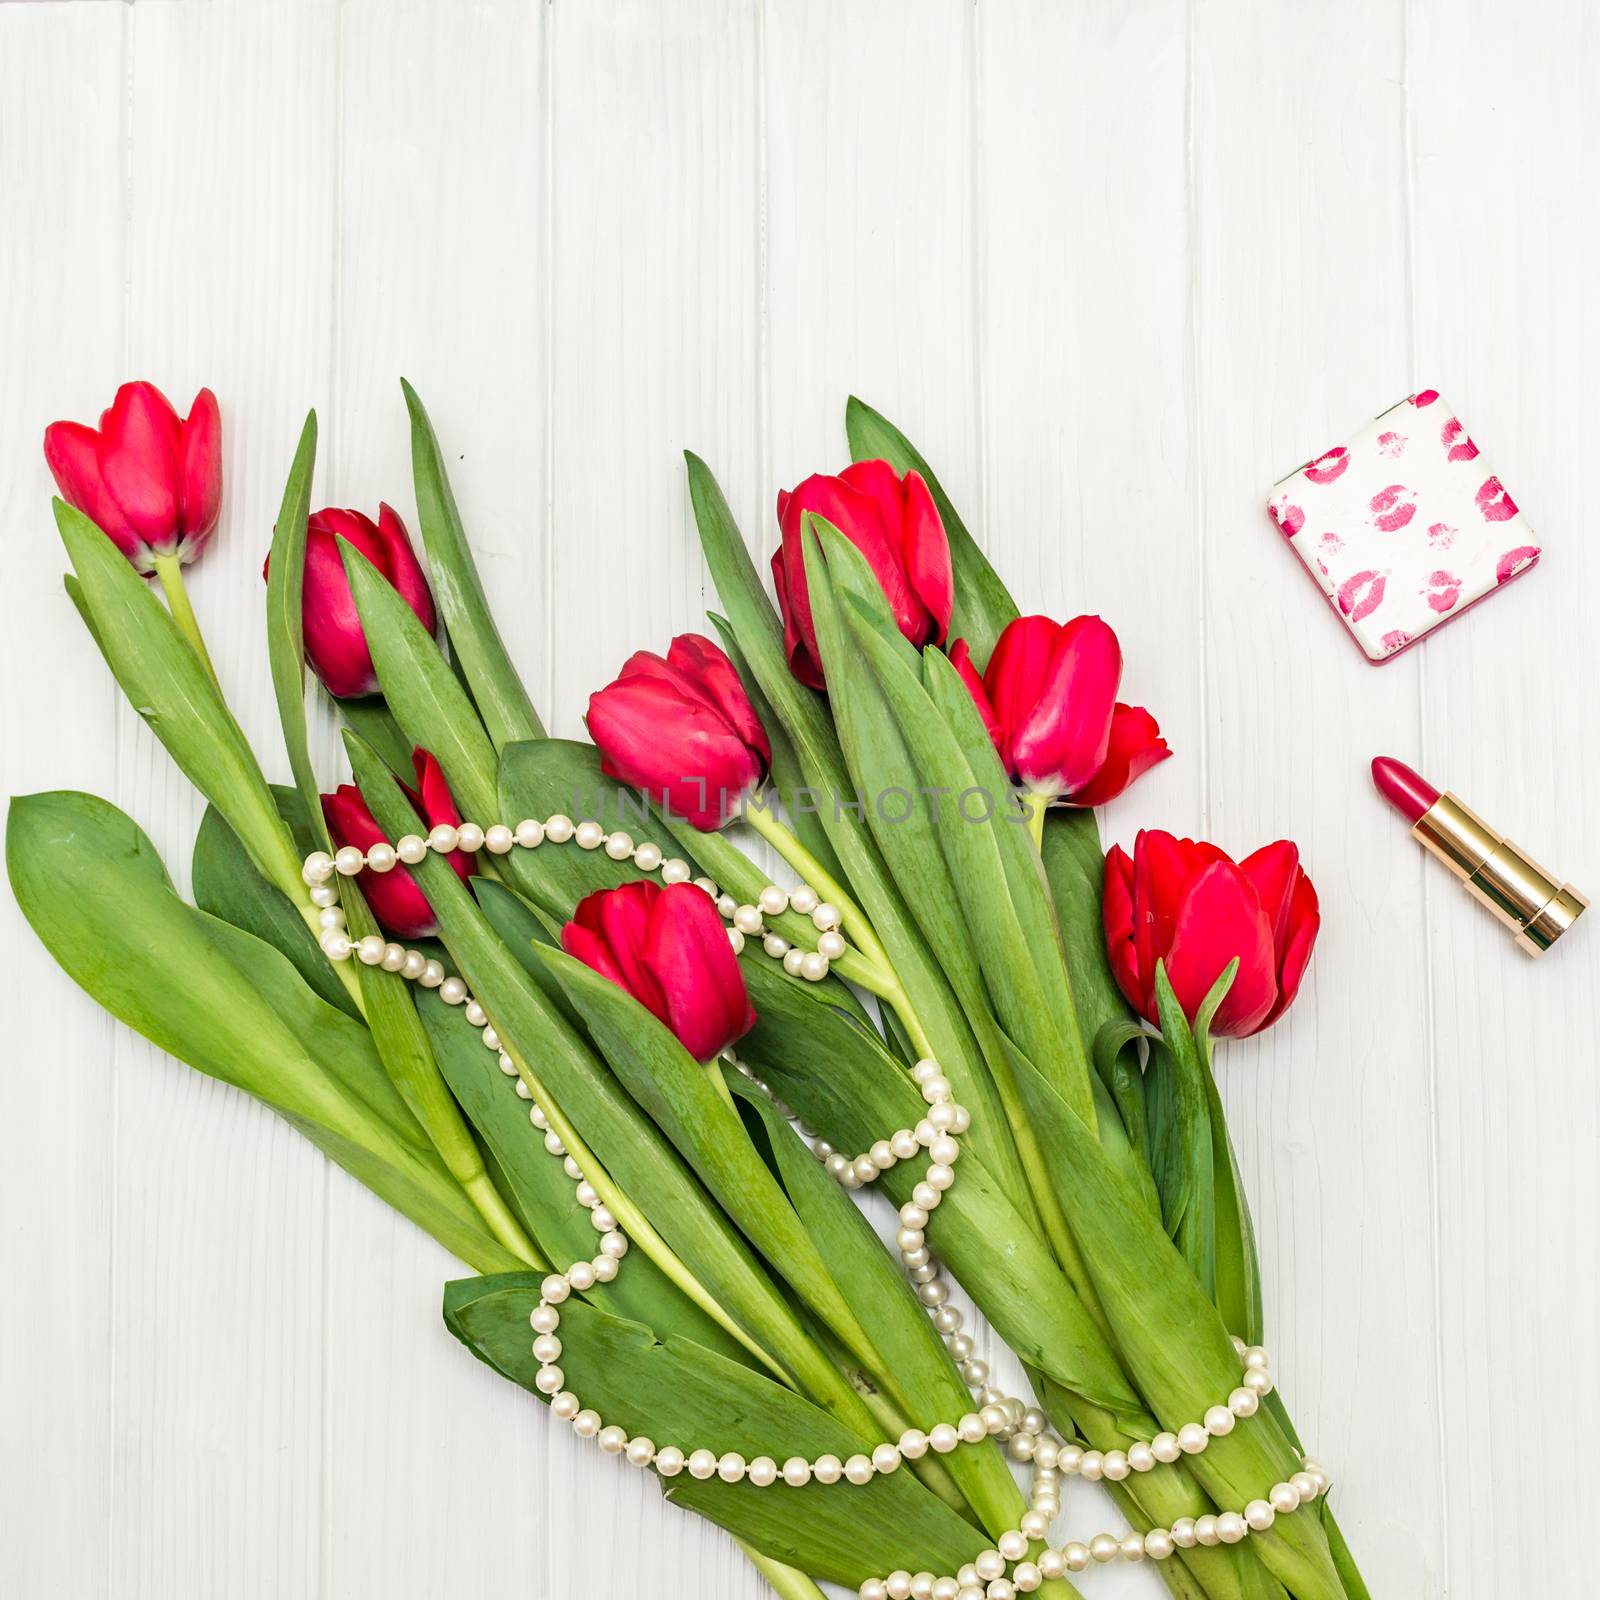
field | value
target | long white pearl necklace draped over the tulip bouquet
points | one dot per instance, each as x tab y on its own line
1014	1566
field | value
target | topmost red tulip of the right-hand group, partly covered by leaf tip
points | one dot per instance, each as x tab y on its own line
897	527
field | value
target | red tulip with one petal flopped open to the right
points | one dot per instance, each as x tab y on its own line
1050	705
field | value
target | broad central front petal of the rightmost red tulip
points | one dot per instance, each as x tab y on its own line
1222	919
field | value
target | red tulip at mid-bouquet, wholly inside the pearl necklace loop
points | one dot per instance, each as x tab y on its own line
670	950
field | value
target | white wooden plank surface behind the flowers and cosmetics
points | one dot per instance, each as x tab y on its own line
1116	270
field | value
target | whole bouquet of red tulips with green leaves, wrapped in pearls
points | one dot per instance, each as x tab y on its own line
537	996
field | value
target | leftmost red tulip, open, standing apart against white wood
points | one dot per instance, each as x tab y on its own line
151	481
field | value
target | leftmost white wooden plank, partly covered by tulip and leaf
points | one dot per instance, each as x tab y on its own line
62	326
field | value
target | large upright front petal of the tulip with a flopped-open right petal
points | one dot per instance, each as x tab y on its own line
1060	743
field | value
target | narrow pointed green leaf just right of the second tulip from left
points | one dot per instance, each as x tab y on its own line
474	639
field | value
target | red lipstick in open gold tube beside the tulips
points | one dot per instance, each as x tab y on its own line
1521	894
